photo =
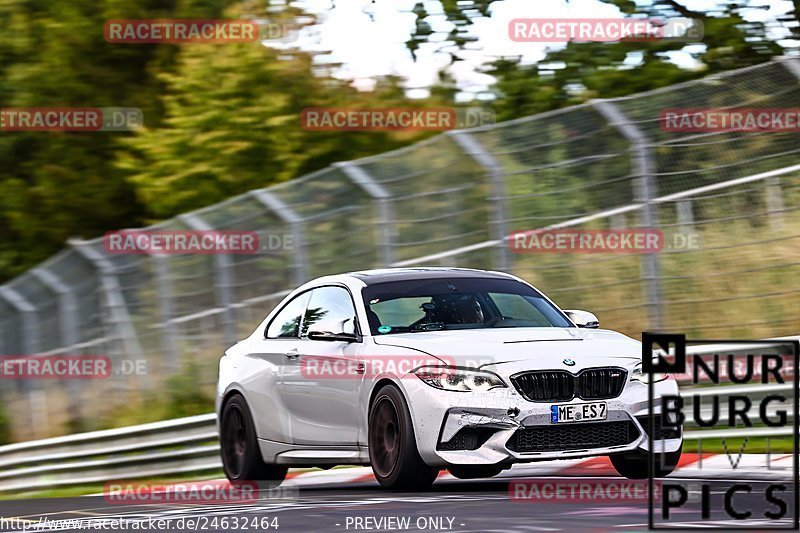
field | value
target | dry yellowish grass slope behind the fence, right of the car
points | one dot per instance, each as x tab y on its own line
717	291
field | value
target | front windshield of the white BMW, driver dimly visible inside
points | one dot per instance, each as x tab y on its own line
459	303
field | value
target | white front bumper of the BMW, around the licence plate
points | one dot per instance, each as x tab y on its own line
461	428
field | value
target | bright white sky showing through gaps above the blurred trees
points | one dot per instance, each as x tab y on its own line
368	38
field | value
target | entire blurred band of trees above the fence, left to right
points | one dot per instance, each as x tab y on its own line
223	119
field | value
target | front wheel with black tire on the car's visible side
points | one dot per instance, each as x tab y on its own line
393	452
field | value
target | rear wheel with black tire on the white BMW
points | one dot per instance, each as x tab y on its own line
241	457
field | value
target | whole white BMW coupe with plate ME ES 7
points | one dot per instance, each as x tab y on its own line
416	370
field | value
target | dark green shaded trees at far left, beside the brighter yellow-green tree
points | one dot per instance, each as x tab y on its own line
58	185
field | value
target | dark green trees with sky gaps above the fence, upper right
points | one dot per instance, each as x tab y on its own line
582	71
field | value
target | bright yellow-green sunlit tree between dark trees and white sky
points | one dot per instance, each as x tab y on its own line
242	130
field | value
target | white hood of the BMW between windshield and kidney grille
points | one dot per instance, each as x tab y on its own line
516	349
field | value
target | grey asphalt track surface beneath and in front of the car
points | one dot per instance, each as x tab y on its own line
451	505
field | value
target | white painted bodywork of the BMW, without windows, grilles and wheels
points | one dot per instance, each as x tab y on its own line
304	421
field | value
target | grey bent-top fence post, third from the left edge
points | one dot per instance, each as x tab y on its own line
114	299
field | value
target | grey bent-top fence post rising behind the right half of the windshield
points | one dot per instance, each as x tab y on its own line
494	171
